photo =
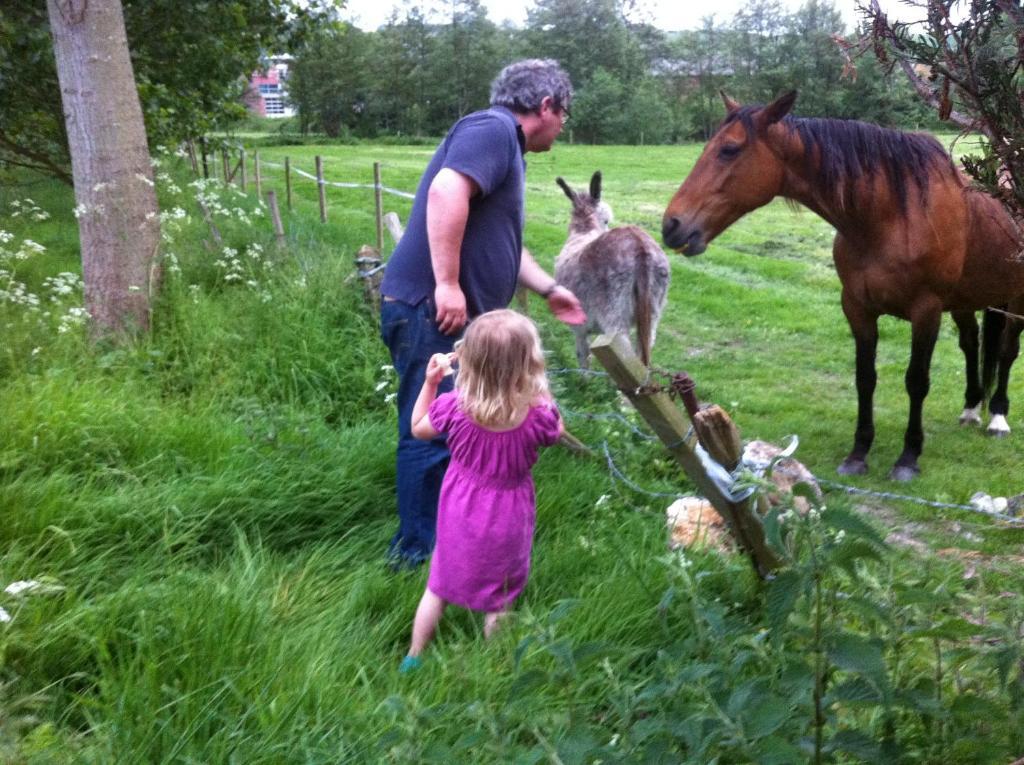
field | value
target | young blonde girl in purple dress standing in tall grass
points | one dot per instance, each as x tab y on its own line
496	419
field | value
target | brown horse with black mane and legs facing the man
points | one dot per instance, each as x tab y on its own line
913	241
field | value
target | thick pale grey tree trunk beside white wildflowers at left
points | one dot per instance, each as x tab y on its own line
118	222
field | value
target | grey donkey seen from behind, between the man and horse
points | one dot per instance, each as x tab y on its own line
620	275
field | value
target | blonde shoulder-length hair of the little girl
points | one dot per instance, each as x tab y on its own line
501	369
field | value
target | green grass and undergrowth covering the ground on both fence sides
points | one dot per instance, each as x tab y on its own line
206	516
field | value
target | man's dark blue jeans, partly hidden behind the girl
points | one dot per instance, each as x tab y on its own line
412	336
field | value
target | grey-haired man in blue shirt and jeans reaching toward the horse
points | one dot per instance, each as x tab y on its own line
462	256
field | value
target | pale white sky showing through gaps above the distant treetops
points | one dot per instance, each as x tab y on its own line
667	15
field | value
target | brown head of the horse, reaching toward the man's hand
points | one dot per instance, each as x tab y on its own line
738	173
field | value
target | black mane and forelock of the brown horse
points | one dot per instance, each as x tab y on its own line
849	150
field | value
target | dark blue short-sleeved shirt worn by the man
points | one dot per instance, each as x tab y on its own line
488	147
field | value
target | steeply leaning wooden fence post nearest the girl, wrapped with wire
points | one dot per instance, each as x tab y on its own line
671	427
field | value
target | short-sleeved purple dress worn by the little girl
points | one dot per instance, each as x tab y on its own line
487	511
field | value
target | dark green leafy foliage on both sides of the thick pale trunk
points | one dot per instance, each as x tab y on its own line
191	59
